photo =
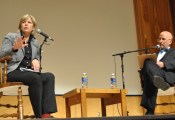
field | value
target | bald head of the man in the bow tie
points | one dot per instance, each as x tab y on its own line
165	39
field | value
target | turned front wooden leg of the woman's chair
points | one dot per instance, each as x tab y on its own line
20	104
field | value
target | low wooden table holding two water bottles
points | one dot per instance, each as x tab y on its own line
107	96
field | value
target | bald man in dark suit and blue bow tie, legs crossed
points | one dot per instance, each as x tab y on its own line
160	74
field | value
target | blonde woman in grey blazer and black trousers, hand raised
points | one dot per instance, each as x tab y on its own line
24	49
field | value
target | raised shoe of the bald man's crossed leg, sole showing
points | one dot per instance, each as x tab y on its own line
159	82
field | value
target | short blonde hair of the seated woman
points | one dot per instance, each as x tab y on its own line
24	18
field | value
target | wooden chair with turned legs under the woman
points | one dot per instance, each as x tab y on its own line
4	85
